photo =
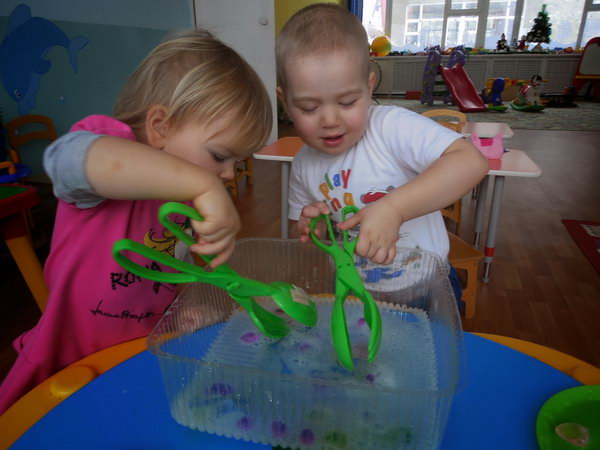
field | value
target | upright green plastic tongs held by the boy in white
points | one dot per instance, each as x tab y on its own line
347	279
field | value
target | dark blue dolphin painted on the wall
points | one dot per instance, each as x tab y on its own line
23	54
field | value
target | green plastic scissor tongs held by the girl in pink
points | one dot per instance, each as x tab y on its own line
292	300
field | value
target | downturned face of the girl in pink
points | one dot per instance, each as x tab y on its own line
208	146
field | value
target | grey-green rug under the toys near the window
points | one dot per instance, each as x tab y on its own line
584	117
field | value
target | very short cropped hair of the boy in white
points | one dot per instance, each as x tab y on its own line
320	29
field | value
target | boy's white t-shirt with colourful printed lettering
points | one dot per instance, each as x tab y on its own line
397	145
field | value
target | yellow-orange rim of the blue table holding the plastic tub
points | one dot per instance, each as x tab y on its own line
40	400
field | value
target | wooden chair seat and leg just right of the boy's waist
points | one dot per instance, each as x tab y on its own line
464	257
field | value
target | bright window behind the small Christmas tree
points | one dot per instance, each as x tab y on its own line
416	24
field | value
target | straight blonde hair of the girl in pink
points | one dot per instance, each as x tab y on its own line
198	77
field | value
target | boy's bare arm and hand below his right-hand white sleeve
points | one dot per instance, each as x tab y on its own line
453	174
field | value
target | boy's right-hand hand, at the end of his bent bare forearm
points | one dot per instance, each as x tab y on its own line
379	227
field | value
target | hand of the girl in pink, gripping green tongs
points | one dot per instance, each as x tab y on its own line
216	234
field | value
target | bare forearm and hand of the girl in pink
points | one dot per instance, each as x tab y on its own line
126	170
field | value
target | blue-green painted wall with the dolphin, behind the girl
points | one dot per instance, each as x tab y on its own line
90	49
